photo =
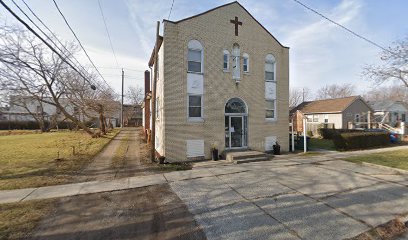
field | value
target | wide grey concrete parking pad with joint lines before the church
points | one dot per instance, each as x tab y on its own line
293	198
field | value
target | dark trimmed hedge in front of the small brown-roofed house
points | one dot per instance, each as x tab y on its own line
360	140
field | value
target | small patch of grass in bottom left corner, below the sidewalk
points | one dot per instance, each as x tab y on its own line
17	220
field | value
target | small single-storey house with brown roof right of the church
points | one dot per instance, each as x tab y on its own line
338	111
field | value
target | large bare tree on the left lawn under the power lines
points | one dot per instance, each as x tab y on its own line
29	68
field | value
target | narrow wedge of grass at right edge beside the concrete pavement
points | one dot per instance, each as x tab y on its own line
395	159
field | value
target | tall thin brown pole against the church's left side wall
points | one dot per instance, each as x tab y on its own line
153	101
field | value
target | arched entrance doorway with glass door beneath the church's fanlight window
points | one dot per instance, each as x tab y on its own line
236	124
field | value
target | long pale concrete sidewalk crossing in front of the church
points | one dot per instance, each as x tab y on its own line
204	169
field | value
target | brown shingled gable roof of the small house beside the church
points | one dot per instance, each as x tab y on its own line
335	105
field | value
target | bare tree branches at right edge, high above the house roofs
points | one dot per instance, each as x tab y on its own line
395	65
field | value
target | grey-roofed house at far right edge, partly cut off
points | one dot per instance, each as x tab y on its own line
390	111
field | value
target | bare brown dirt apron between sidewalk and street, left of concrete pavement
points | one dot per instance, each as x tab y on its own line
153	212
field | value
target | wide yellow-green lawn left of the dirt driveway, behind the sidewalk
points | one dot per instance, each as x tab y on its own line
33	160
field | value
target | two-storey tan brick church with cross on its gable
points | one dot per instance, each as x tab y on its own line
223	81
